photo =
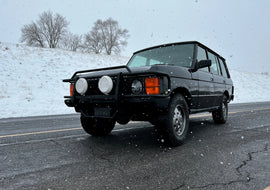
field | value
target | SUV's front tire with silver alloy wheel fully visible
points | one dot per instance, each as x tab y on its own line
177	121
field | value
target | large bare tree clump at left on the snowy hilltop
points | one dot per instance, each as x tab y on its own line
49	28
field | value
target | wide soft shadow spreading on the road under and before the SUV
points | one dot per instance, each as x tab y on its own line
131	145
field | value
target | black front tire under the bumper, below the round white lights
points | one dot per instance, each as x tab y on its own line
97	127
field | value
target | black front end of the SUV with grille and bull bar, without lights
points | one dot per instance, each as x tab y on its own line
120	102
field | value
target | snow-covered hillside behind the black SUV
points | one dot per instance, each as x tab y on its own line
31	79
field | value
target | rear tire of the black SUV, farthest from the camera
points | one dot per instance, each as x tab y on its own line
221	114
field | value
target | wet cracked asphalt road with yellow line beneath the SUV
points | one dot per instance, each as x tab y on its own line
53	152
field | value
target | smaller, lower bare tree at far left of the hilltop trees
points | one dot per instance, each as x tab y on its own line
31	35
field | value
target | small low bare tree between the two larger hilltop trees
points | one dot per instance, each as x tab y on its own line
71	41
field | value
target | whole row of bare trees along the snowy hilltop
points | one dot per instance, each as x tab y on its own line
51	30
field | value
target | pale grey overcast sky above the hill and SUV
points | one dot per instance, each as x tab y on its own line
238	30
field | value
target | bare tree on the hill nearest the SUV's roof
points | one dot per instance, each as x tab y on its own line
108	35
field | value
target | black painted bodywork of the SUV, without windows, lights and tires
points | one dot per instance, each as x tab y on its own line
203	90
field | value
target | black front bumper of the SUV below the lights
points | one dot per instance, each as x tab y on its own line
125	106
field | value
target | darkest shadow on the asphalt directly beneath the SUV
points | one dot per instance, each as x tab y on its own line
147	137
